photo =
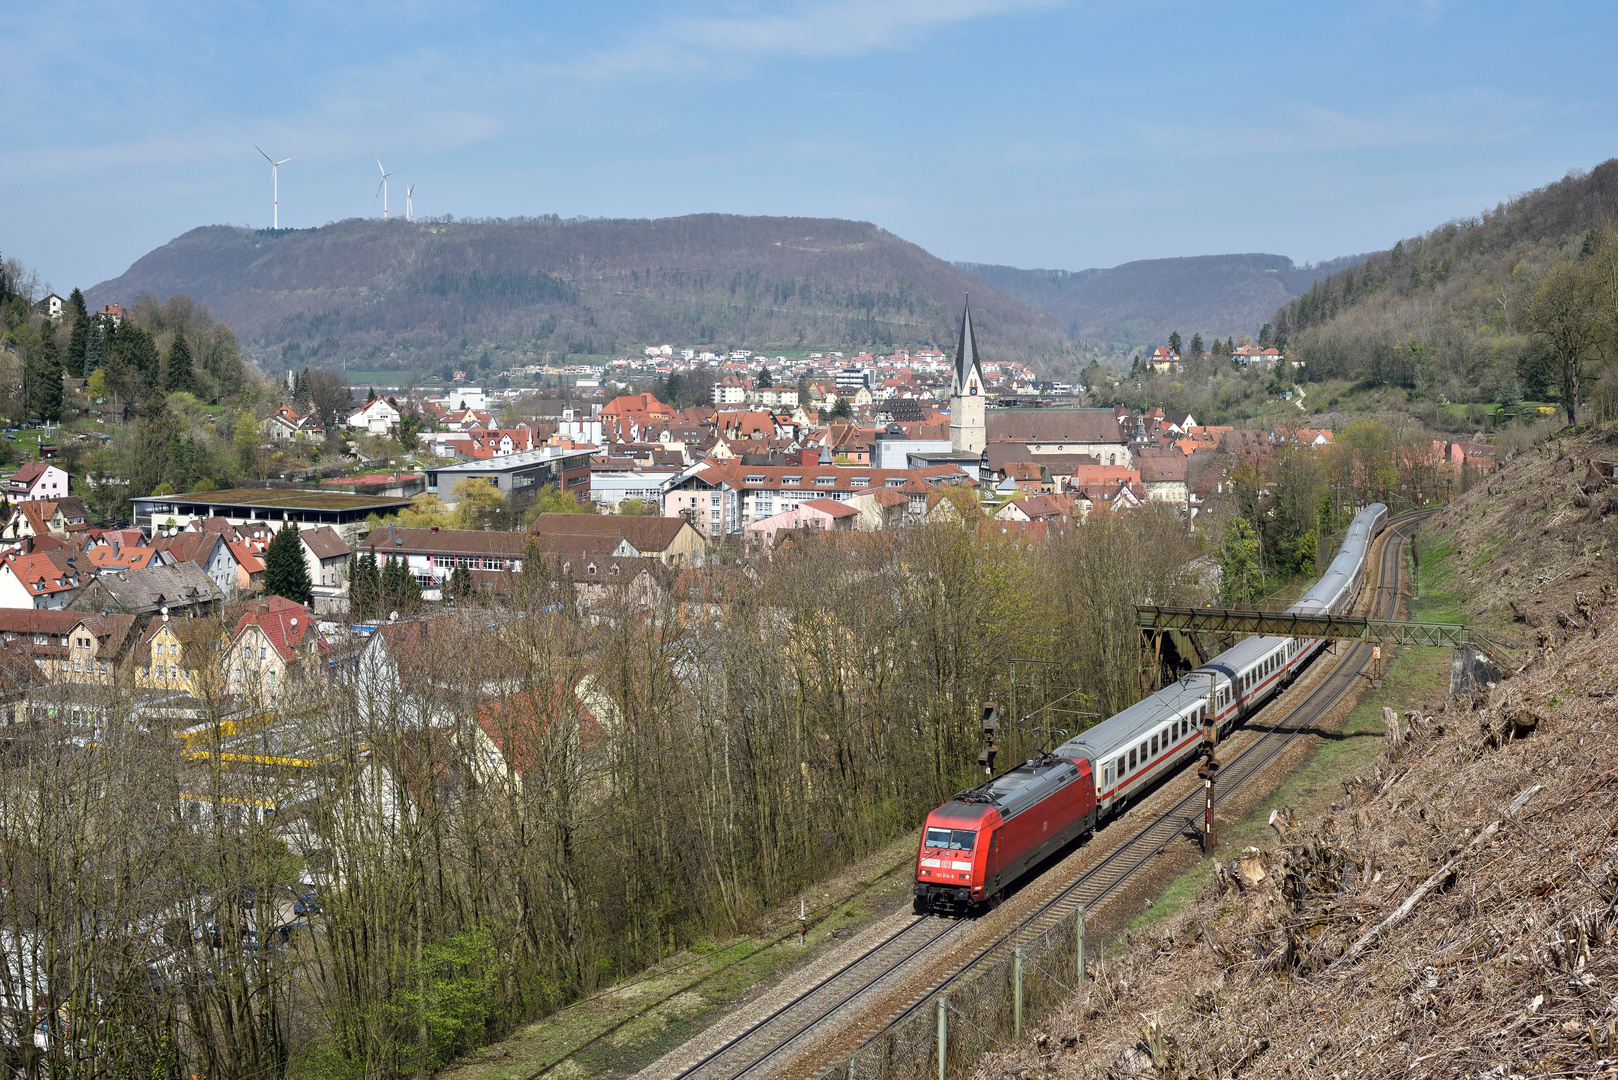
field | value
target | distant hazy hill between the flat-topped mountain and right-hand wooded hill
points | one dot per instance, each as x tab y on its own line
1138	305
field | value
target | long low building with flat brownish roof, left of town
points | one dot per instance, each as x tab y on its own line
245	506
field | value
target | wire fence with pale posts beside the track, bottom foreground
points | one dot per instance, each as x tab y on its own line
981	1010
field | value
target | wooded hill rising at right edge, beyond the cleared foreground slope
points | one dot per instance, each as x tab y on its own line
1452	313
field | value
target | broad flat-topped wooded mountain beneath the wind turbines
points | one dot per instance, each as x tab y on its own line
483	296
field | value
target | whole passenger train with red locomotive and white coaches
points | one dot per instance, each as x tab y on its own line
985	840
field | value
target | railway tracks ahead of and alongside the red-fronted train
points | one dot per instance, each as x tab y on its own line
752	1052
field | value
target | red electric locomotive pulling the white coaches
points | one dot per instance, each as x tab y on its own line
980	843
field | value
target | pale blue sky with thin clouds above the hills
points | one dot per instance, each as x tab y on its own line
1025	132
